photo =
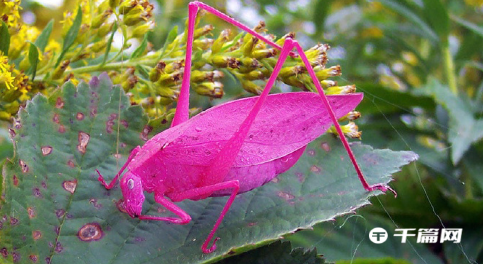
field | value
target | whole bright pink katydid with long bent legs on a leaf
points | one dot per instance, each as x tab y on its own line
231	148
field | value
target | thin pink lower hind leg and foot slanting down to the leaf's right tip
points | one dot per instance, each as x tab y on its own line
379	186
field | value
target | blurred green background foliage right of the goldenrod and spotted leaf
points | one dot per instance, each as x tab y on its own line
419	66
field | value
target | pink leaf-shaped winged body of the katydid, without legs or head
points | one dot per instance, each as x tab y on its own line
176	160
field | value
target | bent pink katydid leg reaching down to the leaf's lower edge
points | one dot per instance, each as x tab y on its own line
207	191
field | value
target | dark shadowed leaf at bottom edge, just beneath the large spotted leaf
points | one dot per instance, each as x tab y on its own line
278	252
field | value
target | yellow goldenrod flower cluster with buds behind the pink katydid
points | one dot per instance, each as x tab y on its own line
152	78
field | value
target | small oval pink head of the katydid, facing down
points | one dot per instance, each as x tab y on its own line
132	190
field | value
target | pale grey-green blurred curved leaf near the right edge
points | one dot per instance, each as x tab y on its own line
464	129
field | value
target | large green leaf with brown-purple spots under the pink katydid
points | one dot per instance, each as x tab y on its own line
60	141
